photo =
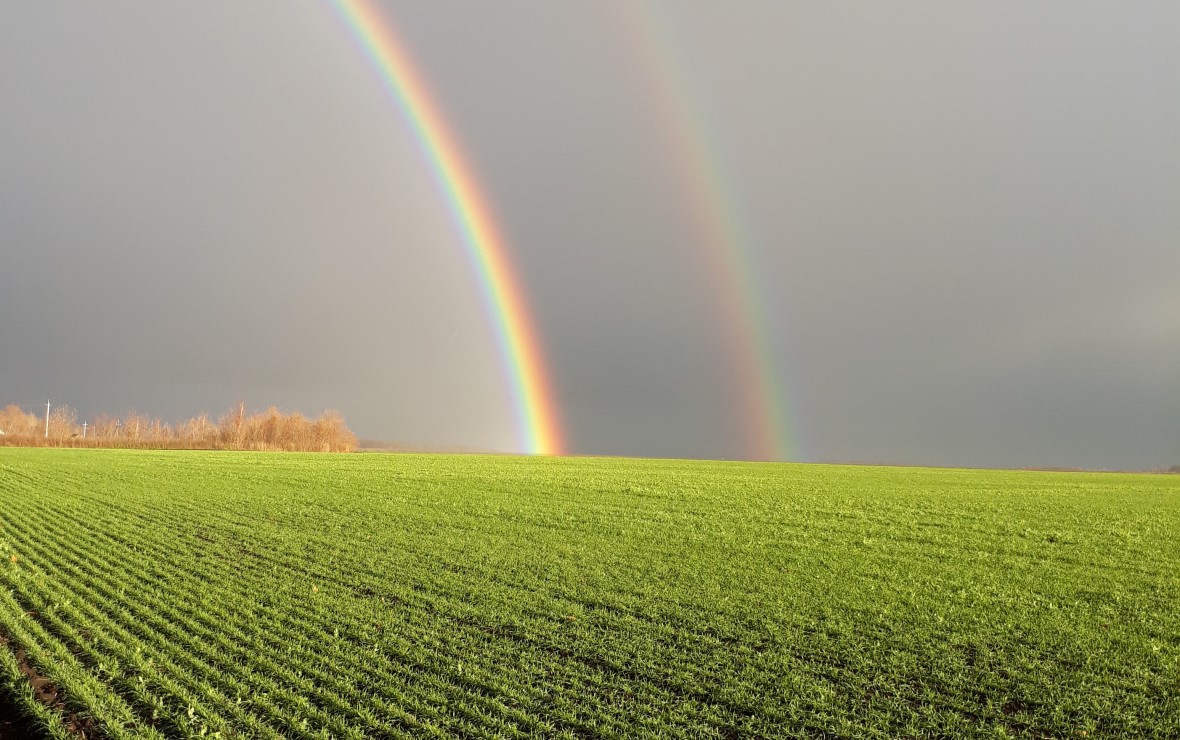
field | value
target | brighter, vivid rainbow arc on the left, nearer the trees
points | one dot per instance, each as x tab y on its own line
517	339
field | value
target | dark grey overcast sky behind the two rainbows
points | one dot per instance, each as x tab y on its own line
965	218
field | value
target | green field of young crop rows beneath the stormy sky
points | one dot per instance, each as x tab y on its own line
173	594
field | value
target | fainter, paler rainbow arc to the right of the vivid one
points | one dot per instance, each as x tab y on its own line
731	260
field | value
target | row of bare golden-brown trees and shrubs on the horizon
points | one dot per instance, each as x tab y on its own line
235	430
